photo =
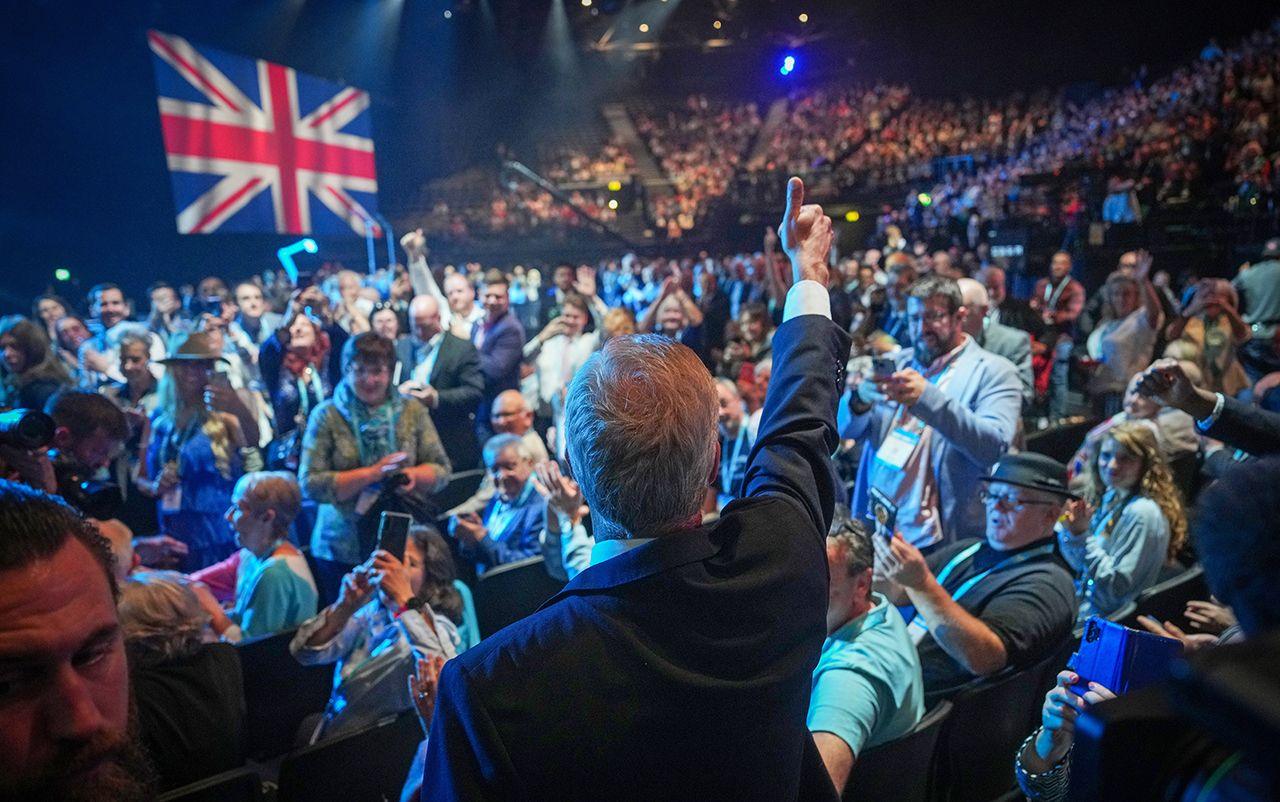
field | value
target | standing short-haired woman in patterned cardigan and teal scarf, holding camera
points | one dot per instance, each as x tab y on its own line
368	450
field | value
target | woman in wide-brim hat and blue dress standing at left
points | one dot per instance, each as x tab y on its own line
193	456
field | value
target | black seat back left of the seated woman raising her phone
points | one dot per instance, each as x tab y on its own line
280	693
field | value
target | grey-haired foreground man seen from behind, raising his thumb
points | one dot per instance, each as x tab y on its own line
678	666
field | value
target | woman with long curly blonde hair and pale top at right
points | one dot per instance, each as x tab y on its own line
1131	528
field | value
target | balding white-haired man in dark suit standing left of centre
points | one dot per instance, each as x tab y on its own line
444	372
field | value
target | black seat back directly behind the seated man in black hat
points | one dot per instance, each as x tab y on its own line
989	722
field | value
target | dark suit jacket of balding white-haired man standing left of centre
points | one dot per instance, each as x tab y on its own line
456	375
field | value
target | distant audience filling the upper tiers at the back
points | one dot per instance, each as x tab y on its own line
1203	136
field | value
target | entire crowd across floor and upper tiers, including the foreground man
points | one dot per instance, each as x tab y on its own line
226	460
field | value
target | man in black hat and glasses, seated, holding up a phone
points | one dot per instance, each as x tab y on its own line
984	604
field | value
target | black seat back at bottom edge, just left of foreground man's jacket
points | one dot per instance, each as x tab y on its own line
367	766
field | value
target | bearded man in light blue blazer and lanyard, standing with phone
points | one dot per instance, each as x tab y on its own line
938	424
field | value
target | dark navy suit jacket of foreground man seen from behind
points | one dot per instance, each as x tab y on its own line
682	668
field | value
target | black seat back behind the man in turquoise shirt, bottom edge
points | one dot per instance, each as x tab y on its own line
900	771
